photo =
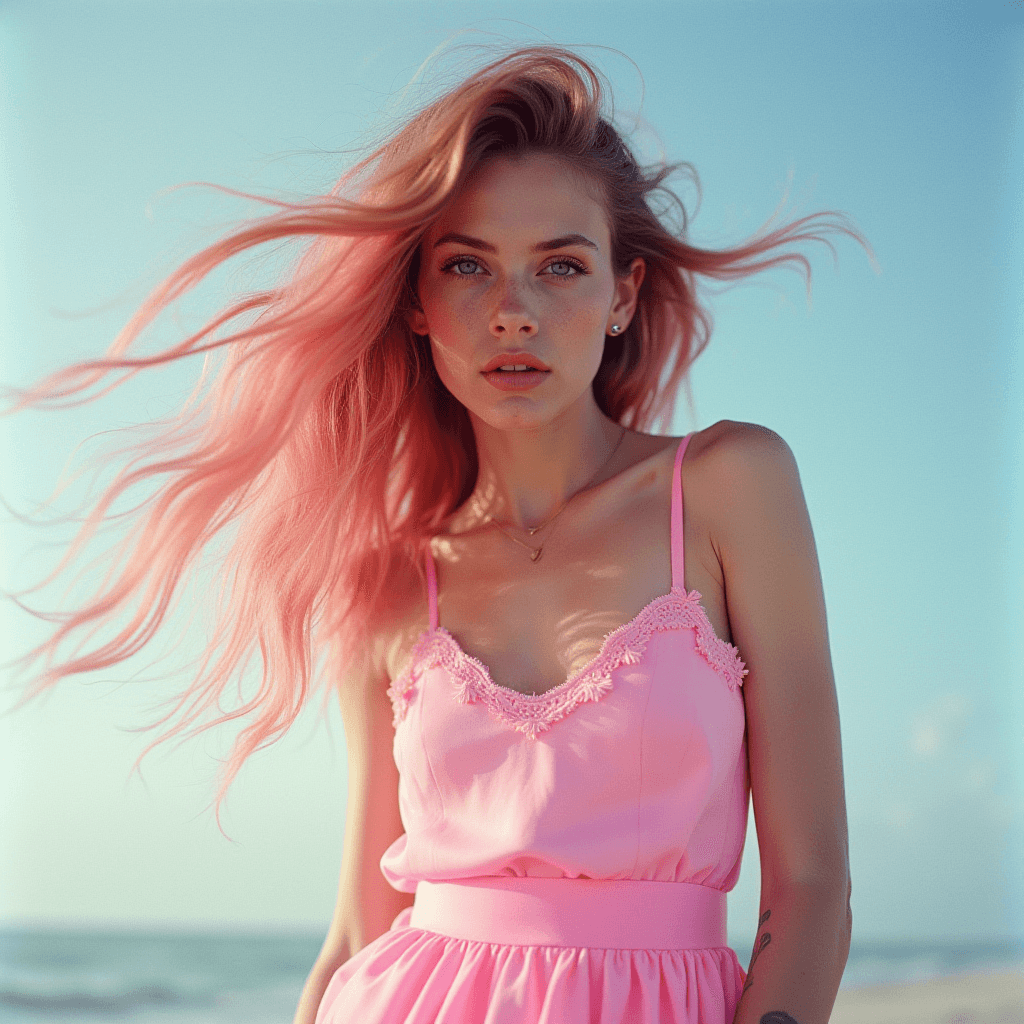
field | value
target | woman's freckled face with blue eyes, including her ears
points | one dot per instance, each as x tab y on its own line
514	280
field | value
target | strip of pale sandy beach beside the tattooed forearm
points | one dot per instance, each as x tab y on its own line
968	999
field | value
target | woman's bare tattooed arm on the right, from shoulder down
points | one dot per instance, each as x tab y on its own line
778	619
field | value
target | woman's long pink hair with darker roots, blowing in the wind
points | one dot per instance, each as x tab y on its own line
325	451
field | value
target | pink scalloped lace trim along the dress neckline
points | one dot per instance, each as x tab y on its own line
533	714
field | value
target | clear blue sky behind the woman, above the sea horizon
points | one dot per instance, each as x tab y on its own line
900	394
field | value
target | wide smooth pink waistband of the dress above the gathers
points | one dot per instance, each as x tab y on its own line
609	914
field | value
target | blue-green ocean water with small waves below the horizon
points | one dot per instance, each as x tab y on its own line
176	978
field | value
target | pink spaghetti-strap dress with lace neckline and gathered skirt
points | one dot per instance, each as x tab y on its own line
571	852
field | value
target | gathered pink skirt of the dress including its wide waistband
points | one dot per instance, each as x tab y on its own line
532	951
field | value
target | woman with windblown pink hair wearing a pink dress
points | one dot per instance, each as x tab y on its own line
431	447
